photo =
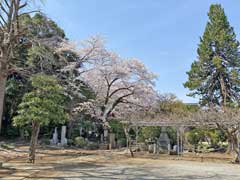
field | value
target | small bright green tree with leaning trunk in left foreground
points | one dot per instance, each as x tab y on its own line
41	106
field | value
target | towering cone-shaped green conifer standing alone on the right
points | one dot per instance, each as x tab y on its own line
214	76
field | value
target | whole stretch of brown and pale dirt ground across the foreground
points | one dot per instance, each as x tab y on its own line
74	164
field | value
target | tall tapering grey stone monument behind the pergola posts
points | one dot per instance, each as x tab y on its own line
164	141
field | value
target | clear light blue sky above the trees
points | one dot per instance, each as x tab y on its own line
163	34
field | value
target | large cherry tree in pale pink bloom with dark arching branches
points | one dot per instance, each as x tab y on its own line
120	86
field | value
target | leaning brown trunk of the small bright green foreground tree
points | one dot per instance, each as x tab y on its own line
33	142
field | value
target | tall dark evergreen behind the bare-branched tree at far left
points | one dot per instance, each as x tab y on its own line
31	57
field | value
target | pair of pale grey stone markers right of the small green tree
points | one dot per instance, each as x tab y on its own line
63	142
